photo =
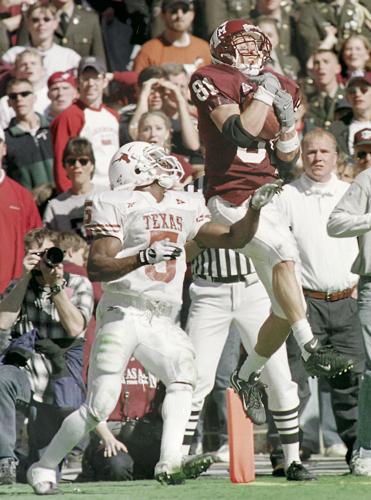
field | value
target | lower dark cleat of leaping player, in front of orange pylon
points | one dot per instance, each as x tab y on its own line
250	393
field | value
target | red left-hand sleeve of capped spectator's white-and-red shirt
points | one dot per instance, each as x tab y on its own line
64	127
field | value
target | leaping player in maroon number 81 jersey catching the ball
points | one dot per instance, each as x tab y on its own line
234	96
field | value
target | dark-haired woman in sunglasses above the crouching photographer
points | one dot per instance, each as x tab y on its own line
66	211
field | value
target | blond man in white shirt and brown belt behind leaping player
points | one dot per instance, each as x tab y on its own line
328	283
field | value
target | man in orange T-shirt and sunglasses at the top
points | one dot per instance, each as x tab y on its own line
175	44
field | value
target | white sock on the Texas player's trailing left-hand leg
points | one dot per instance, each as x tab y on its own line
72	430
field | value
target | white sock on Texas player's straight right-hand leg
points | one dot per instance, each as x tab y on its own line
176	410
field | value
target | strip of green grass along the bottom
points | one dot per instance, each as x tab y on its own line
264	488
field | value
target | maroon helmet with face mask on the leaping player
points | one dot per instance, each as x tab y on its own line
235	41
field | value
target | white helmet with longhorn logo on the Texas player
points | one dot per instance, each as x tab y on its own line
140	164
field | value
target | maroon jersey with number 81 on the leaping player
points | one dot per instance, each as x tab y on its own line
232	172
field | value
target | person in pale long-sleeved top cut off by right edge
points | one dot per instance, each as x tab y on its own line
351	218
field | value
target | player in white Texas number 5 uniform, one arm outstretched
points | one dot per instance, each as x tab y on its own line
139	230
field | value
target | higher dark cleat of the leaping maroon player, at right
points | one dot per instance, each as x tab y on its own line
325	361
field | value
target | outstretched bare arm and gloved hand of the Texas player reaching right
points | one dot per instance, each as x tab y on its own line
237	235
